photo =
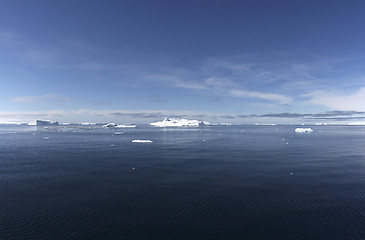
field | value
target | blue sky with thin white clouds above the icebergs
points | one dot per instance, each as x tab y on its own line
255	61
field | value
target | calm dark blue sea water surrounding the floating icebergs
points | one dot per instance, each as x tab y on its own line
266	182
